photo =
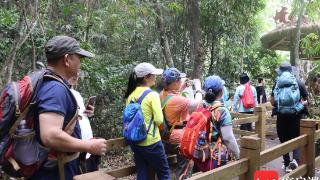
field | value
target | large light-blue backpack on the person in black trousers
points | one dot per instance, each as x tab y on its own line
287	94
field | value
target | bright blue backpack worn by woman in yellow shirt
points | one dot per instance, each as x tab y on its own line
134	128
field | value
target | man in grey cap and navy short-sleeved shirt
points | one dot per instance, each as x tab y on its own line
56	107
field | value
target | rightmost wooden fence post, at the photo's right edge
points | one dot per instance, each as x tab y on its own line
307	156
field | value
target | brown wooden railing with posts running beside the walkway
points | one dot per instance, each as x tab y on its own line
252	150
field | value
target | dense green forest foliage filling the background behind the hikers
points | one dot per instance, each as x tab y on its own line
123	33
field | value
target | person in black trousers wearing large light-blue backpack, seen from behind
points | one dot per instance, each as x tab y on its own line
287	131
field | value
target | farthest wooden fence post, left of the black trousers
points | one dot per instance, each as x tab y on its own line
260	125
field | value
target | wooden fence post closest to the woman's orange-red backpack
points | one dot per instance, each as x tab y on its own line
250	149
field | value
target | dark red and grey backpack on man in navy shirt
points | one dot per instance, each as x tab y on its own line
21	154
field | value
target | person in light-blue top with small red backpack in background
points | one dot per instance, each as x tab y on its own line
239	98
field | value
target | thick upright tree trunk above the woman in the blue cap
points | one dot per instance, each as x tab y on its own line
194	16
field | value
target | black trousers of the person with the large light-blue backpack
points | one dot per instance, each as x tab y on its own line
288	127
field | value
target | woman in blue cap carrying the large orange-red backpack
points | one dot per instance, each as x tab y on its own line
222	127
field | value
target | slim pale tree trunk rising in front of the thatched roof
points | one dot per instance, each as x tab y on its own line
297	39
